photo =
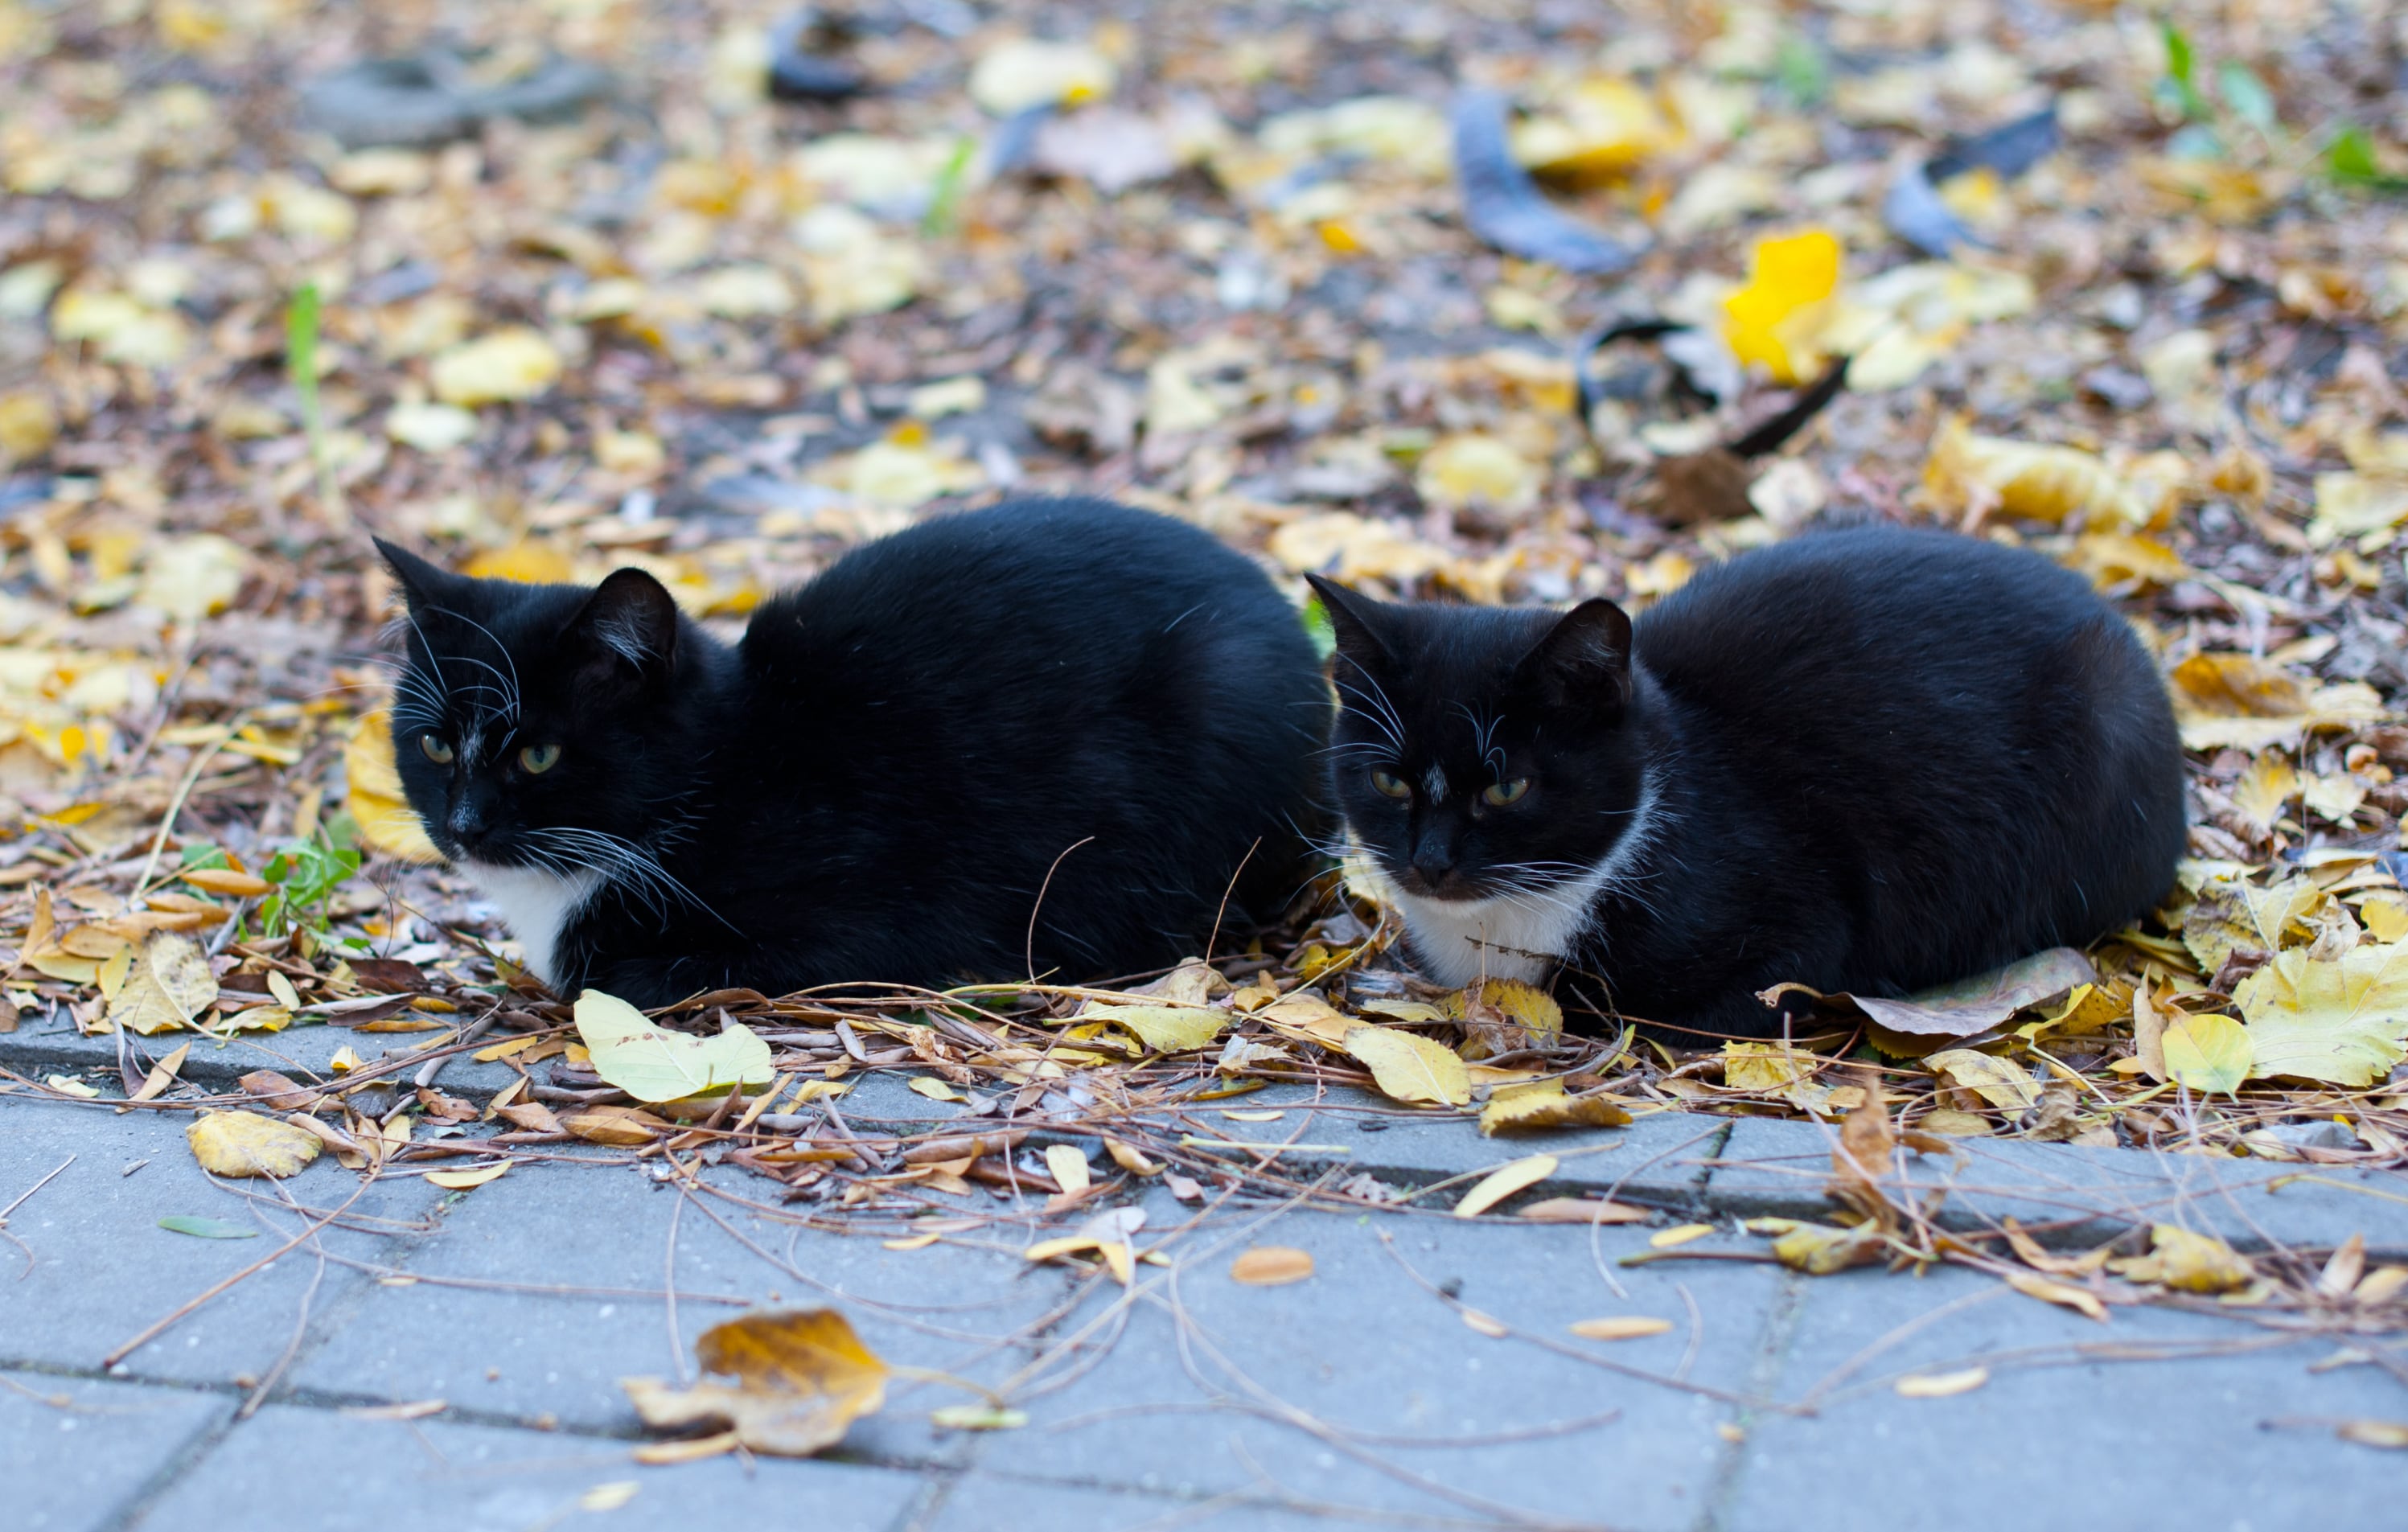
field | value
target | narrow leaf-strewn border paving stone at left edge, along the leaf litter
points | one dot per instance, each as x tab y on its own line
216	1063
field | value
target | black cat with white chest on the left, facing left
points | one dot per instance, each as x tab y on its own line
880	782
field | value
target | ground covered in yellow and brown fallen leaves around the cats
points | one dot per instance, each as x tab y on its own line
2118	288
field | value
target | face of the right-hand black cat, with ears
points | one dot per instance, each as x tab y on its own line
1482	753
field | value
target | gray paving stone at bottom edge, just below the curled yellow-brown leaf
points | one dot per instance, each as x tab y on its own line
331	1473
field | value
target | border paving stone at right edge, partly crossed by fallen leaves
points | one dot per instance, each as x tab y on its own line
2077	1196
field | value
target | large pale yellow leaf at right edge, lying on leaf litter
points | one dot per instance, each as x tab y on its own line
2339	1020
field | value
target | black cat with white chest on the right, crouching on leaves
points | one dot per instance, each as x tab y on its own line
1867	760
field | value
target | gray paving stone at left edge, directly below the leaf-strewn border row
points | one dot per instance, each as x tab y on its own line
105	1271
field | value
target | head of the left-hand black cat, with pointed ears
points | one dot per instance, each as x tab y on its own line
526	726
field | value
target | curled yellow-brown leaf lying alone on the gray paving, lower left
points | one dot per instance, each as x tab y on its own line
801	1381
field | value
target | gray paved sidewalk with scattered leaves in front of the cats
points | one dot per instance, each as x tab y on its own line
507	1316
